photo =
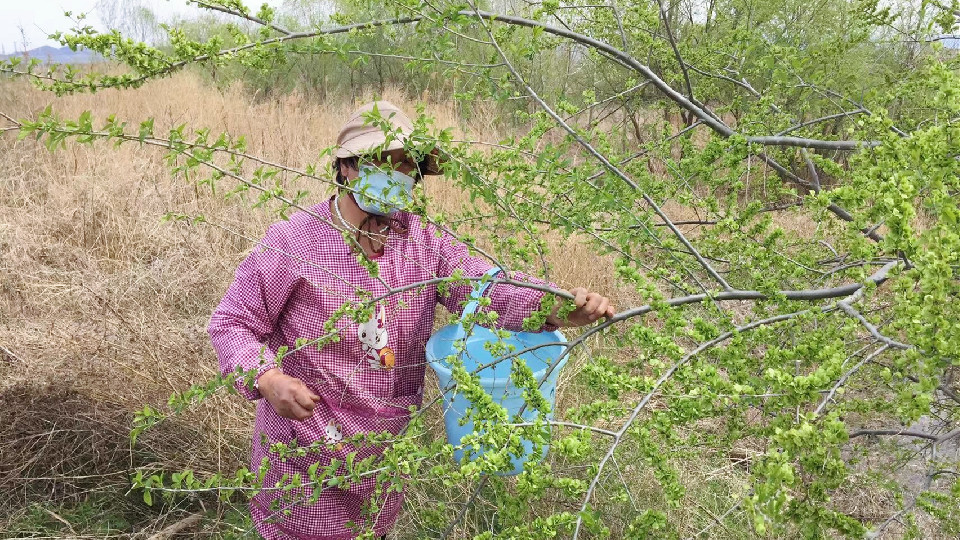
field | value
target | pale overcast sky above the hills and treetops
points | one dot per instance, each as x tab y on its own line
38	18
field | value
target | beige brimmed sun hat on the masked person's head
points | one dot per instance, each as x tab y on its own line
358	137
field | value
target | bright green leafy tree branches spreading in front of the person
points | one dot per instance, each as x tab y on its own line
810	296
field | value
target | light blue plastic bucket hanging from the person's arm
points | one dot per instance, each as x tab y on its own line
495	379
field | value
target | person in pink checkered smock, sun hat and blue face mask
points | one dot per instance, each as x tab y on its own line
366	378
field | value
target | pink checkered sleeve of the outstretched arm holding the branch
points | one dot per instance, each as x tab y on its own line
513	303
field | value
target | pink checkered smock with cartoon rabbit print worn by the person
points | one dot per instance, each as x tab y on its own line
286	289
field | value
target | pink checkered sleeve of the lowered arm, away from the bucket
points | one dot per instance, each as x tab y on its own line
241	326
